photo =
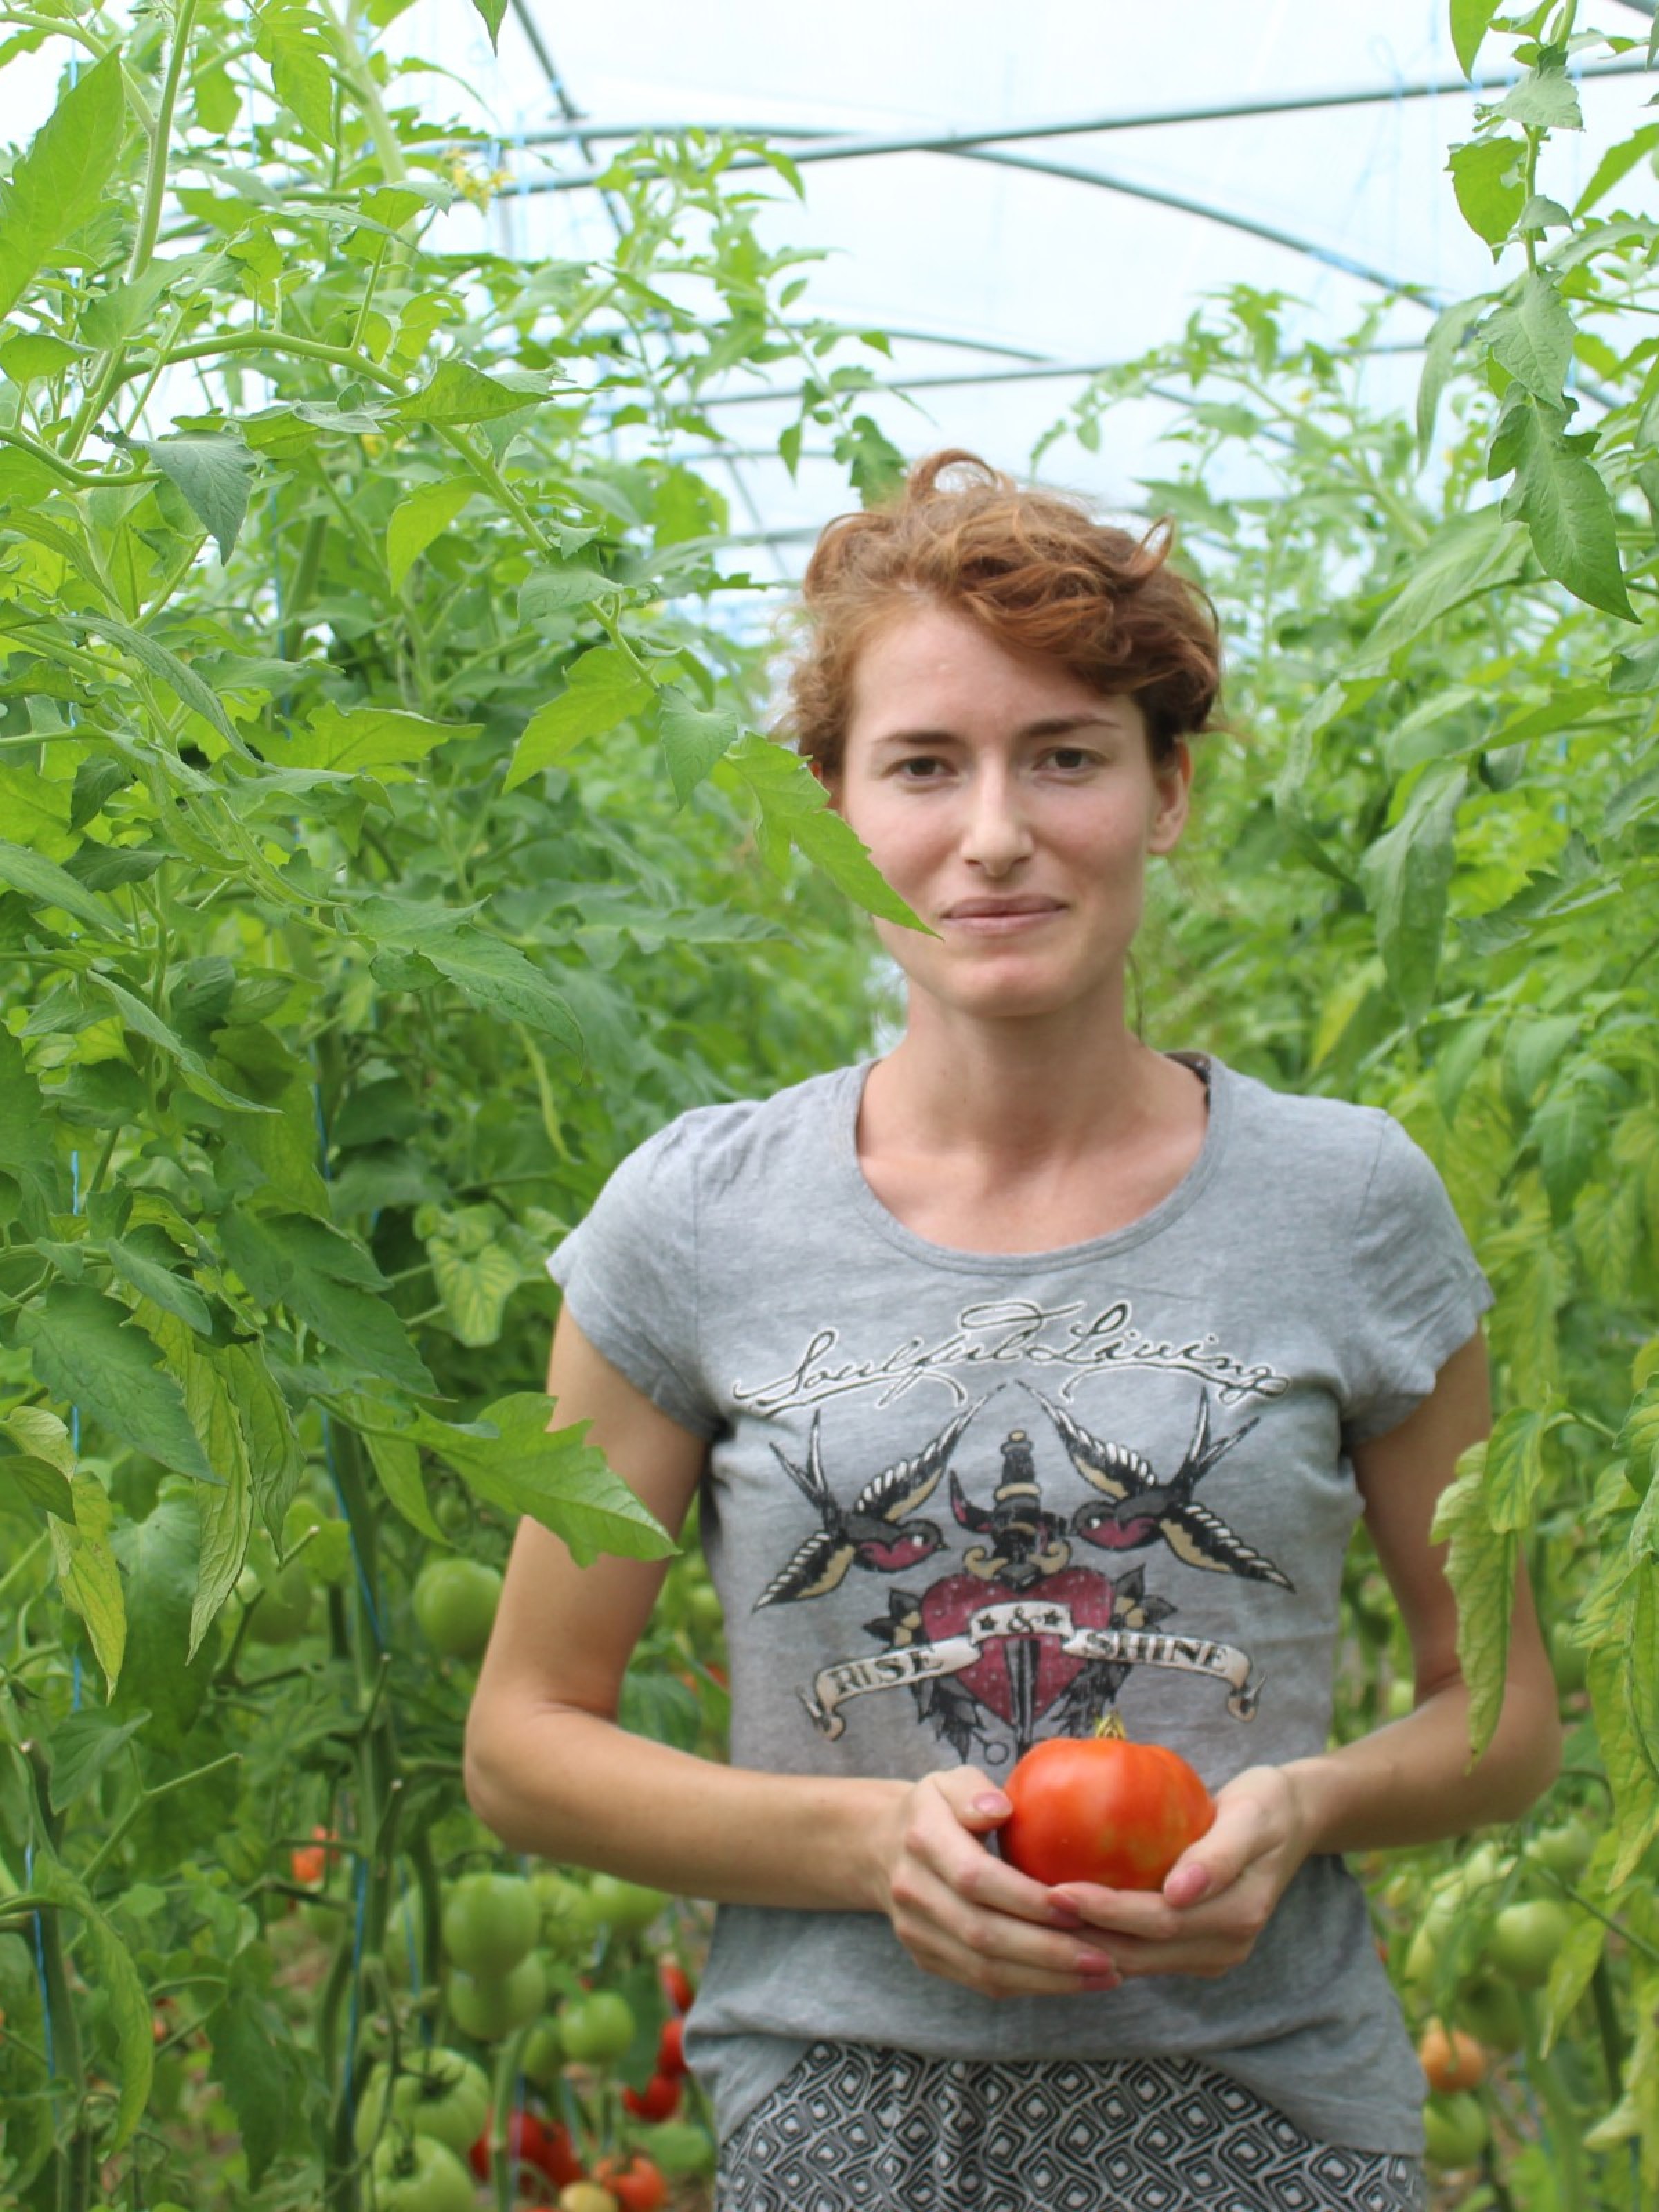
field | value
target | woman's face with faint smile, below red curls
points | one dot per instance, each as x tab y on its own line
1012	808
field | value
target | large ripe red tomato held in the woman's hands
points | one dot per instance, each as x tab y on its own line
1103	1811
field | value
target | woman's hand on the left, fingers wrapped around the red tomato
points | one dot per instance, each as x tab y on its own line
963	1912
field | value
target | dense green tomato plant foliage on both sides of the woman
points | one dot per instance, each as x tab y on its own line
384	853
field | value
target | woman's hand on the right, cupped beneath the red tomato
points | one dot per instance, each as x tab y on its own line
1220	1895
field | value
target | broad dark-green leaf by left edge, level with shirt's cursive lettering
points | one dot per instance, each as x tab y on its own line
90	1353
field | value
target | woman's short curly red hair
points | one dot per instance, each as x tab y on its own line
1034	570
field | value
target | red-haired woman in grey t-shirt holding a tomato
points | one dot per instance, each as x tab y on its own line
1027	1375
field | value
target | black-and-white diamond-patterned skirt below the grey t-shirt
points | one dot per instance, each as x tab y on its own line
864	2129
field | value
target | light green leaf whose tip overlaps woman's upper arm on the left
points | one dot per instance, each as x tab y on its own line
517	1463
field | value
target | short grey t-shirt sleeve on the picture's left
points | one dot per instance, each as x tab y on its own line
629	1277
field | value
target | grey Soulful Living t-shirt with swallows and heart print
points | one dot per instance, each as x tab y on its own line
957	1503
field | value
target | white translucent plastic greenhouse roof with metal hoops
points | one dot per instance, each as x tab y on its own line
1019	198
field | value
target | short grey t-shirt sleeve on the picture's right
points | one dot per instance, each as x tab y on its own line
1419	1291
